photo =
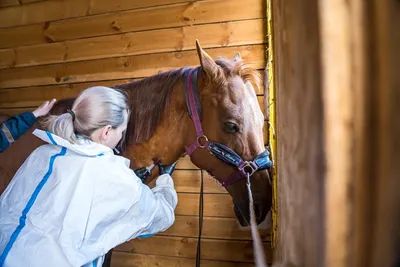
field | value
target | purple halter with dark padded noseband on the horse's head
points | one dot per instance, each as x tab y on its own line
227	155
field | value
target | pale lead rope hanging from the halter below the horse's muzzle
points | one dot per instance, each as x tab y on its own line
257	243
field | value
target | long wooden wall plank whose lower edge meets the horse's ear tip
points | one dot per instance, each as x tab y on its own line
147	42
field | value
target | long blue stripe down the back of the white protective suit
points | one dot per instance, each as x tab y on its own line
28	207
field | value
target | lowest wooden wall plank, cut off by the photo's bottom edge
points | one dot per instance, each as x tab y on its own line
123	259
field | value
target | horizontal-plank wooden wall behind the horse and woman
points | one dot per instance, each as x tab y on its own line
58	48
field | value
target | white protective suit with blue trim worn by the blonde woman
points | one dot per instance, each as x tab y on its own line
69	204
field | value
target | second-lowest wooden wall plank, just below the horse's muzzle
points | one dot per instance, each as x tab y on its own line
224	250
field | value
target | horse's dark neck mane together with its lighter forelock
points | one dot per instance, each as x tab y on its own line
148	97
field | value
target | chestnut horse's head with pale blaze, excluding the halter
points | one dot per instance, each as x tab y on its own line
231	116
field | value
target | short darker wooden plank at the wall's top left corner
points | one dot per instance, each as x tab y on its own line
43	11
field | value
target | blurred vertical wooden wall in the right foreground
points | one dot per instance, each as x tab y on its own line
337	88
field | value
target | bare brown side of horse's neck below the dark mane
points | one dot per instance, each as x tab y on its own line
169	139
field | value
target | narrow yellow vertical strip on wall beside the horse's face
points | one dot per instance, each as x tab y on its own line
272	123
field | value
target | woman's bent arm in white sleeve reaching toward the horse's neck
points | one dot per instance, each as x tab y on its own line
124	208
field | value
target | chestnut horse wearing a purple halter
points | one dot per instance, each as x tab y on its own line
210	113
